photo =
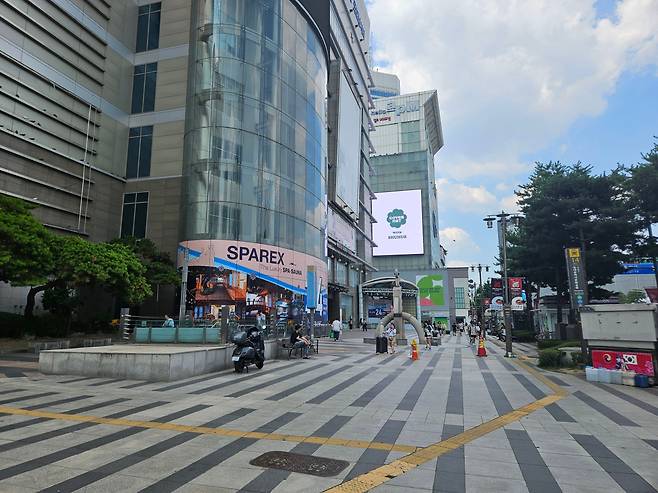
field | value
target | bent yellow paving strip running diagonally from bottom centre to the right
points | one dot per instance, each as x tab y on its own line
366	482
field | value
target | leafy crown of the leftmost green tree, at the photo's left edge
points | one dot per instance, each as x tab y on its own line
25	254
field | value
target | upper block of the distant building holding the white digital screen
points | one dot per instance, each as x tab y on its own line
407	137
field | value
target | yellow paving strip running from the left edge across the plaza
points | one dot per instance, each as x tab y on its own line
202	430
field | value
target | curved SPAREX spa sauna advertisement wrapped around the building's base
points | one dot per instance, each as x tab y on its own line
249	278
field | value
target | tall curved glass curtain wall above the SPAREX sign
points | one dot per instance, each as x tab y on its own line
255	139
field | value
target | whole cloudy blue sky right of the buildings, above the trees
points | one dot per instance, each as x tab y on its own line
575	80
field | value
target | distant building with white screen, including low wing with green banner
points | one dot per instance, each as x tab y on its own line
406	139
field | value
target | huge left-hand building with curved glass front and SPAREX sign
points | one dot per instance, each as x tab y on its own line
202	125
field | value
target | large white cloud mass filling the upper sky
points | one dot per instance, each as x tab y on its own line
511	76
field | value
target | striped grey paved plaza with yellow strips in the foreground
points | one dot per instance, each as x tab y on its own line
449	422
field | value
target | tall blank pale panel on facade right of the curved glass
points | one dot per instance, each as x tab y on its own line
349	147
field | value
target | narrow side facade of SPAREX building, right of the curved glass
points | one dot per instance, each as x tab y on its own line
349	192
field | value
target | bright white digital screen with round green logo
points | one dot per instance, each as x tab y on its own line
399	226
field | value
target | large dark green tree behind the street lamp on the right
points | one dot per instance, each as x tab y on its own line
569	206
